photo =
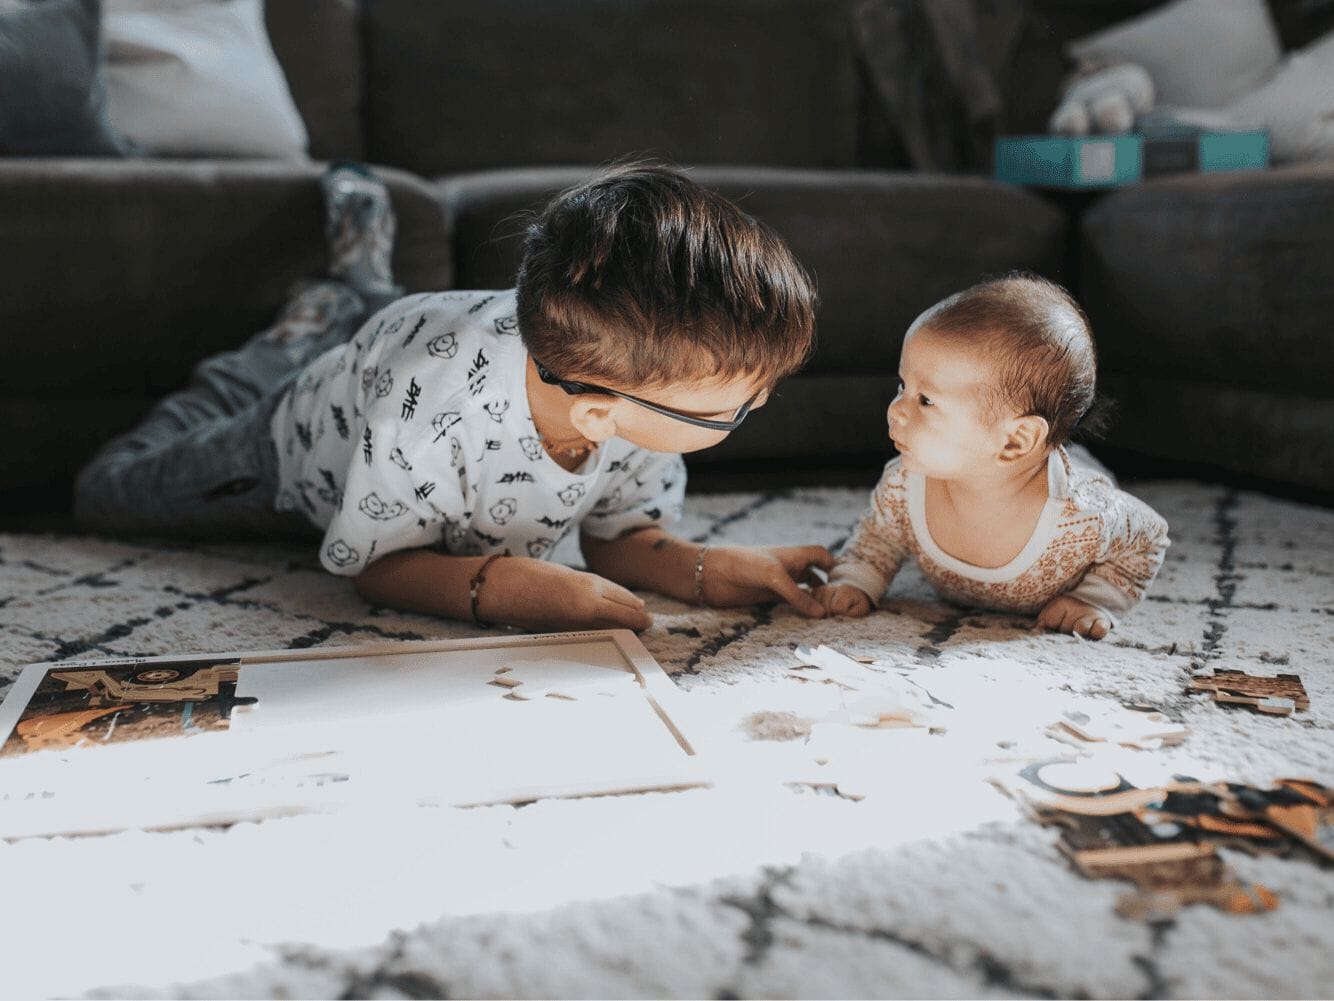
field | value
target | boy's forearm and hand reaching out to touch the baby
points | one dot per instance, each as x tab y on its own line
732	576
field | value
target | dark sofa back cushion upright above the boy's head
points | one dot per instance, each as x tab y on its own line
473	85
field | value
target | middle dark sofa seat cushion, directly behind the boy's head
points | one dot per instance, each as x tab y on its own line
881	246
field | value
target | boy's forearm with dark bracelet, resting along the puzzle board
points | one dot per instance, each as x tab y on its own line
532	595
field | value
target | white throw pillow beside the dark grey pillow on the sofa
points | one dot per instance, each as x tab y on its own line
199	78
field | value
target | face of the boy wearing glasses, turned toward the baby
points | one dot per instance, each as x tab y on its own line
713	400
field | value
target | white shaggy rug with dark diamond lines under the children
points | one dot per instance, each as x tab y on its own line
933	886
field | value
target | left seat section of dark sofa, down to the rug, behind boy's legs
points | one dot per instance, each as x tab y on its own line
123	276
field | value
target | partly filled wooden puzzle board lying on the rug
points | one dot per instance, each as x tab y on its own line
174	741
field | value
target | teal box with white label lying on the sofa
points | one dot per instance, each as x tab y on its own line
1107	162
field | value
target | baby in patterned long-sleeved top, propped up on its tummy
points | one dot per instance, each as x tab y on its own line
985	494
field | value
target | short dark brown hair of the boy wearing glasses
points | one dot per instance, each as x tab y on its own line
642	278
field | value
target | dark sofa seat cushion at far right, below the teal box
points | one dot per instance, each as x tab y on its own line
1217	278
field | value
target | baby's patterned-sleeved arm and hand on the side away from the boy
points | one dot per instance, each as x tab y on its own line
1133	553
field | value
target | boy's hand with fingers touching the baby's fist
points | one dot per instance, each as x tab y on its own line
753	575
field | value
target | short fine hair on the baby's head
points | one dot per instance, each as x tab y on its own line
1039	341
